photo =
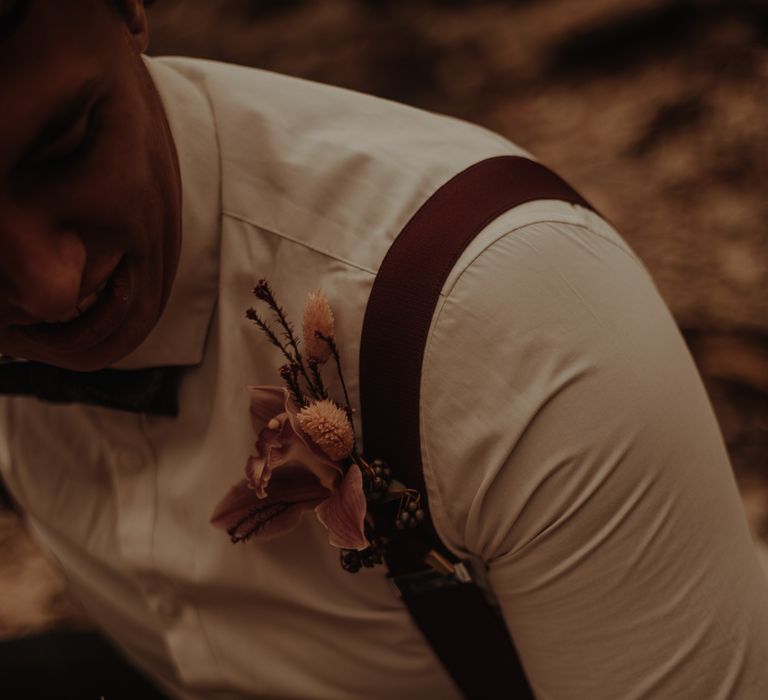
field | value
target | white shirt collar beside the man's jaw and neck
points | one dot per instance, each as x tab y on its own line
179	336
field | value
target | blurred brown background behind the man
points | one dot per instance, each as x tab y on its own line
653	109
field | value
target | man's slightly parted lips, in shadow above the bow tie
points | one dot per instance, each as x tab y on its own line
100	314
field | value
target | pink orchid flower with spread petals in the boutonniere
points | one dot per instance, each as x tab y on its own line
288	476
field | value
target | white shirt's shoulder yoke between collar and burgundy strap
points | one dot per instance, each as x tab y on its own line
333	169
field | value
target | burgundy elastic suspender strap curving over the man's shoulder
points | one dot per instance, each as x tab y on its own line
466	632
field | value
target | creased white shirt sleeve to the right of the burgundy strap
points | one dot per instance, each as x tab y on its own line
568	443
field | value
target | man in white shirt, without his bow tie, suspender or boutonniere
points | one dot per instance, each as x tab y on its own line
567	440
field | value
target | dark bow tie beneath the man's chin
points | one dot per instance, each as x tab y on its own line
152	390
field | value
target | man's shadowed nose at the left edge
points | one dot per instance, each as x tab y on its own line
41	265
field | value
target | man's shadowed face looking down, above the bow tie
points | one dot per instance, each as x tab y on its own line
89	187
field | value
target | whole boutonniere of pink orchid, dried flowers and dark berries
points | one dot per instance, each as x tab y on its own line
306	456
